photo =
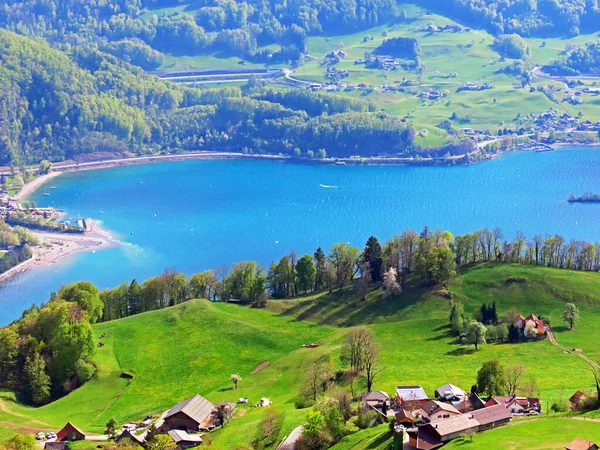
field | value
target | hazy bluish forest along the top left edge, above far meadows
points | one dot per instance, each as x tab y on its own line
236	27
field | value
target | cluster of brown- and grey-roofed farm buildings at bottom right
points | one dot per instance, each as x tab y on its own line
431	423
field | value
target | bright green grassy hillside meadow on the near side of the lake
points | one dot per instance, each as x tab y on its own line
194	347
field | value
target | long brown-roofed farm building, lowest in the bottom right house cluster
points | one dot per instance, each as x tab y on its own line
436	434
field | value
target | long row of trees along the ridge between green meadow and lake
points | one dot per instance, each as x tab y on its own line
430	258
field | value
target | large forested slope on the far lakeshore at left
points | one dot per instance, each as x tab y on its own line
57	105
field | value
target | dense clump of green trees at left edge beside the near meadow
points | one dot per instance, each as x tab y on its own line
46	354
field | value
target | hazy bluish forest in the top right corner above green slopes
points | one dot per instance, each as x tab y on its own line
525	17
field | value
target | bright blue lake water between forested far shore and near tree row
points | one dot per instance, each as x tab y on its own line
211	213
